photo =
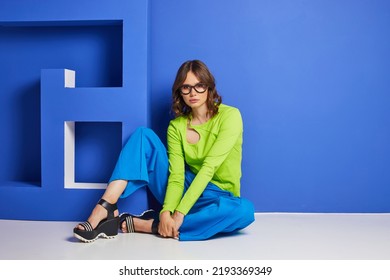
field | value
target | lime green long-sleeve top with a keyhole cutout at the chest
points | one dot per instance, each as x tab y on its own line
215	158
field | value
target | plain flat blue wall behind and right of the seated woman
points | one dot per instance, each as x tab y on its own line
312	81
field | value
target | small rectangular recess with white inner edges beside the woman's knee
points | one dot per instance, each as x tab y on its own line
91	152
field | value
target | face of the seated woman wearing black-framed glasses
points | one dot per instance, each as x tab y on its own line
195	99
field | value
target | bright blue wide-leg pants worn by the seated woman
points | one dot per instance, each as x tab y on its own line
143	162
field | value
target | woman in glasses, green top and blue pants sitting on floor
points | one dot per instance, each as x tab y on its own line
197	181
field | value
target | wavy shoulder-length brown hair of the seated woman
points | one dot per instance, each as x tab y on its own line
203	74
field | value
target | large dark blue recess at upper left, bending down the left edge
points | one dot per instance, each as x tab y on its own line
94	49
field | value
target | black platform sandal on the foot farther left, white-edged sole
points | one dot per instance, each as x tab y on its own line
107	228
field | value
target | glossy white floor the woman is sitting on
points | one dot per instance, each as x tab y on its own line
273	236
